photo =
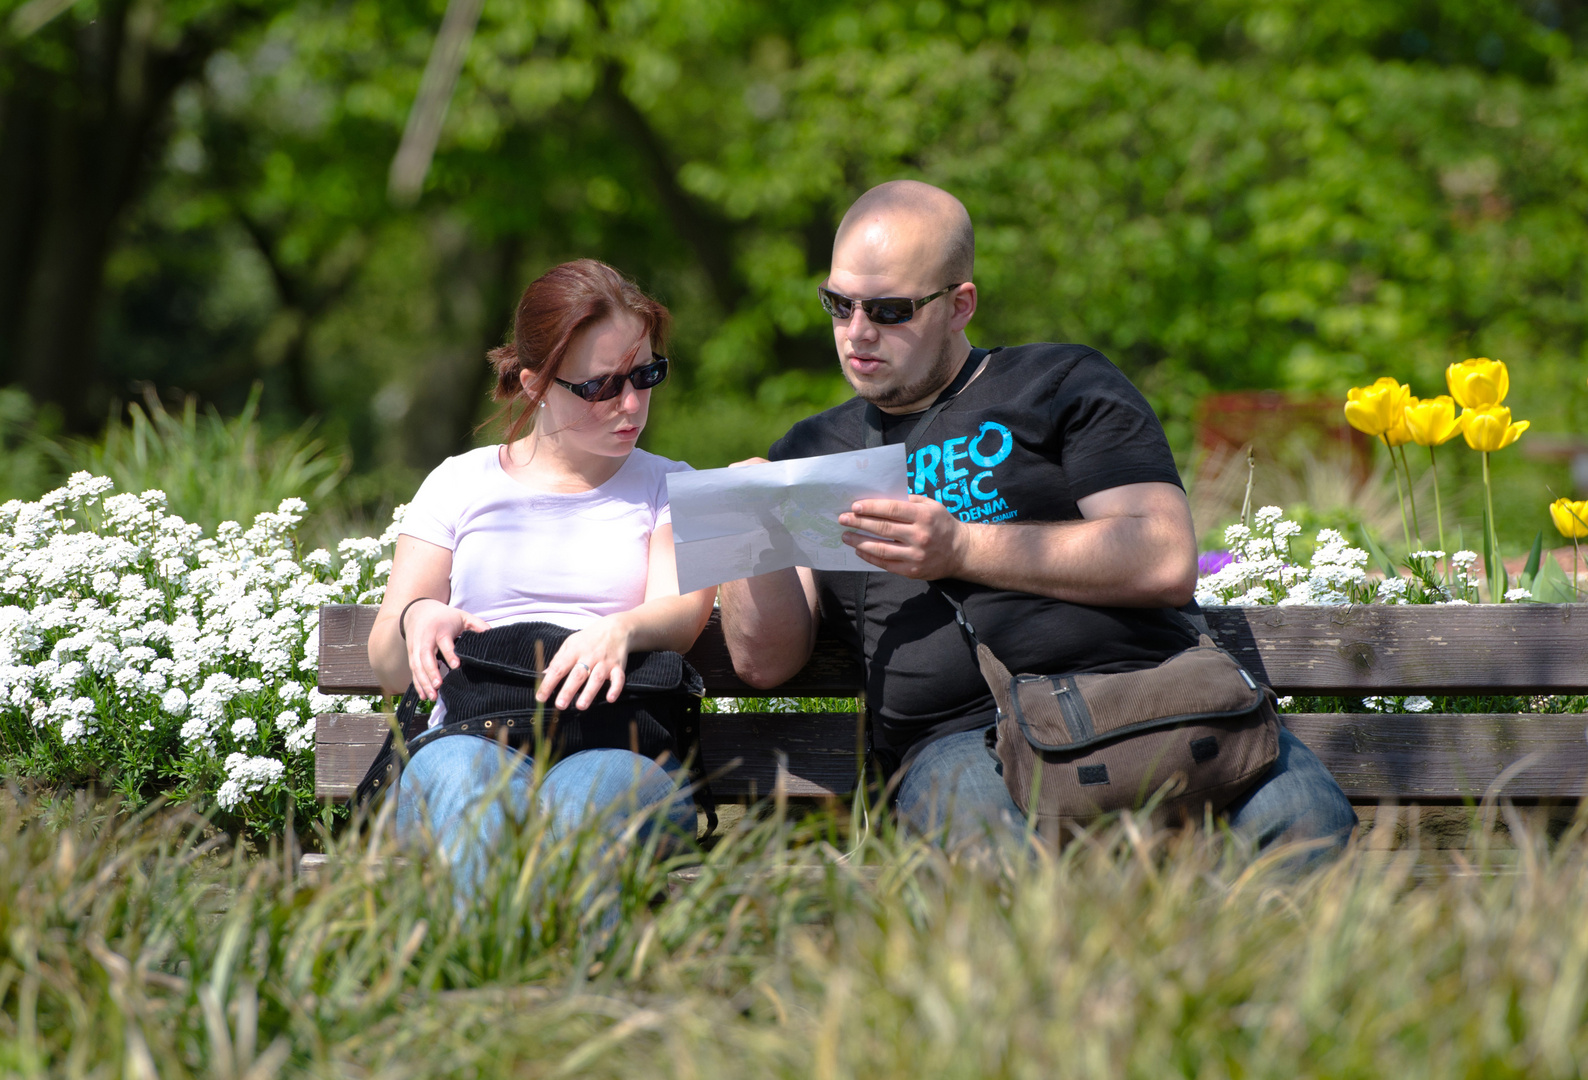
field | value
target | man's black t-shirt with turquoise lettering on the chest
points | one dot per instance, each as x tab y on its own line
1039	430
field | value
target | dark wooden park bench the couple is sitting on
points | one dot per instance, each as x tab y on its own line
1351	652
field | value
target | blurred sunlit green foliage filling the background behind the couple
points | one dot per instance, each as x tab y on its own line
1225	195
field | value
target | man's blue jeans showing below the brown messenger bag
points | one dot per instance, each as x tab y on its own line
955	793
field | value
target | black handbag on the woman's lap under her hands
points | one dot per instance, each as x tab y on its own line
491	695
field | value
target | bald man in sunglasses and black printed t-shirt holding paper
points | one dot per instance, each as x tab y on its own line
1044	498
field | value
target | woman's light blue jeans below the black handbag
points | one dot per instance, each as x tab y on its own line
460	792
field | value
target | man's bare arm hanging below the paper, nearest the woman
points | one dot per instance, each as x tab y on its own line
769	627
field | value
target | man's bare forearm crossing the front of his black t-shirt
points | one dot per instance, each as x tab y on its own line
1120	561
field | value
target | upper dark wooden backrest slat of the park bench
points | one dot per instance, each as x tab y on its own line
1503	649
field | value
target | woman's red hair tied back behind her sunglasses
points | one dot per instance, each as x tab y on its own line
557	309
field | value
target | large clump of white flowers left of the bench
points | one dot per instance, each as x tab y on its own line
144	657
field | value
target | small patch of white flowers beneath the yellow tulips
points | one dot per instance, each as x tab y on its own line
1265	569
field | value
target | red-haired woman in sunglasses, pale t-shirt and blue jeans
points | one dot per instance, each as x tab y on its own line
568	523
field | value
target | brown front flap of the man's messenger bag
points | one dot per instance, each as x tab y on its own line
1068	714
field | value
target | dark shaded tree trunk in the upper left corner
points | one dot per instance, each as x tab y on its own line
82	123
